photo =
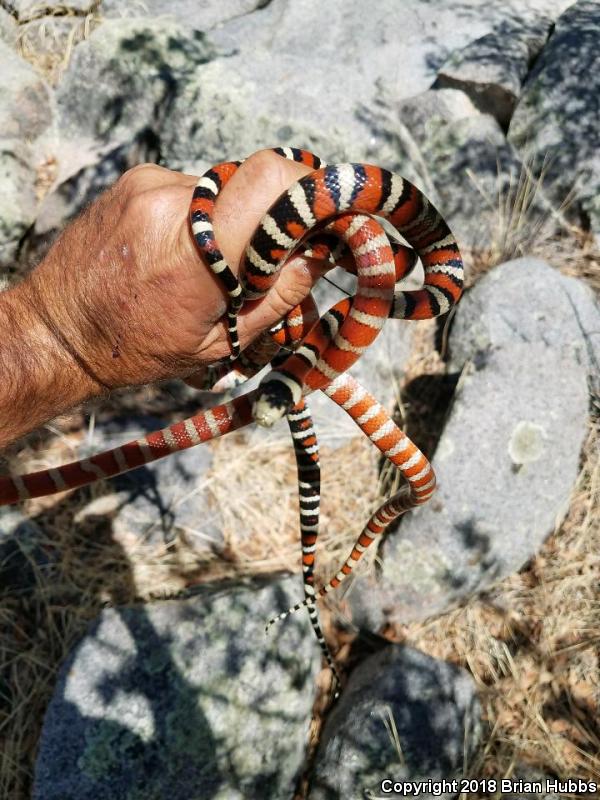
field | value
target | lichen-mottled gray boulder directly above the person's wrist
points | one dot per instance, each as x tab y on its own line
136	68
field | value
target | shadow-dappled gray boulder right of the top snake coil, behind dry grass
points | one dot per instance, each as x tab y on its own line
460	158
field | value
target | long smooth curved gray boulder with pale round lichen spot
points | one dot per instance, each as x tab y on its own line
525	340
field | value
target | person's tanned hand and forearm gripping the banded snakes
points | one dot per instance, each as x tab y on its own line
123	297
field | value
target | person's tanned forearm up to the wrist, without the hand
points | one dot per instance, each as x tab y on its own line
39	378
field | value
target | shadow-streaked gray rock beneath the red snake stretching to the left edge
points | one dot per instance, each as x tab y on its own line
160	501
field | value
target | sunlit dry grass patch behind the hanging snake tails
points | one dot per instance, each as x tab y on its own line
261	531
